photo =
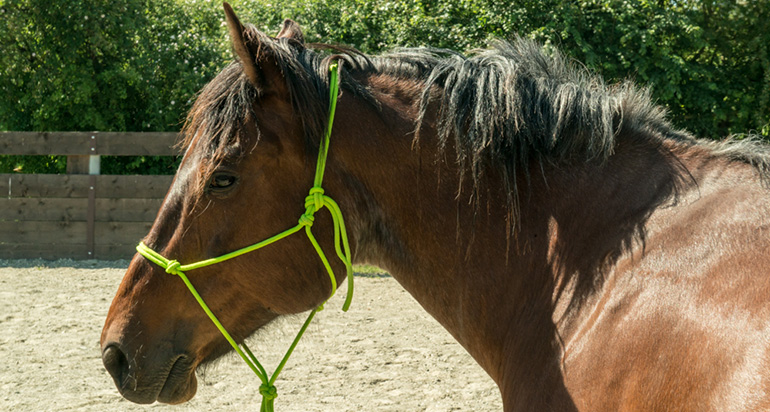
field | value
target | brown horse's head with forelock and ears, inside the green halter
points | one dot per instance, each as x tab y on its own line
244	177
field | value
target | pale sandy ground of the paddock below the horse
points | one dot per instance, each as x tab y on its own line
385	354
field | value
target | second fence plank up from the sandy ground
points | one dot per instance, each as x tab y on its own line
107	233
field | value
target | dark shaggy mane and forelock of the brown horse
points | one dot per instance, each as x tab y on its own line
502	107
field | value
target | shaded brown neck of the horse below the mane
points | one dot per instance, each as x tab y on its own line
502	296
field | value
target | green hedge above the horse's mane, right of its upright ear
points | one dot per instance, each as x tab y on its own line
705	60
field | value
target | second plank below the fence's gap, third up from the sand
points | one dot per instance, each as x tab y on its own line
75	209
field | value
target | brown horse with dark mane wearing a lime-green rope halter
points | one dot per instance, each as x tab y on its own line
589	256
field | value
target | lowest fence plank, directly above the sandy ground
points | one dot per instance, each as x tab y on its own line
65	251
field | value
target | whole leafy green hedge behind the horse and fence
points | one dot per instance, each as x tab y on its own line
135	65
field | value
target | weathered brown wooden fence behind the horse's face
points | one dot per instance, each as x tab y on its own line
81	214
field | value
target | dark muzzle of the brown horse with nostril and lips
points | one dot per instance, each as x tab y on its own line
170	379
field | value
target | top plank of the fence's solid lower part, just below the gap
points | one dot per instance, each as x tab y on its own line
76	186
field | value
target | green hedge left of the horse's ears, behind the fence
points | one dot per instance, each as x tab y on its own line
122	65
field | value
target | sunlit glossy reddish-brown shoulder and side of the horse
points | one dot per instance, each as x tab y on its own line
684	320
